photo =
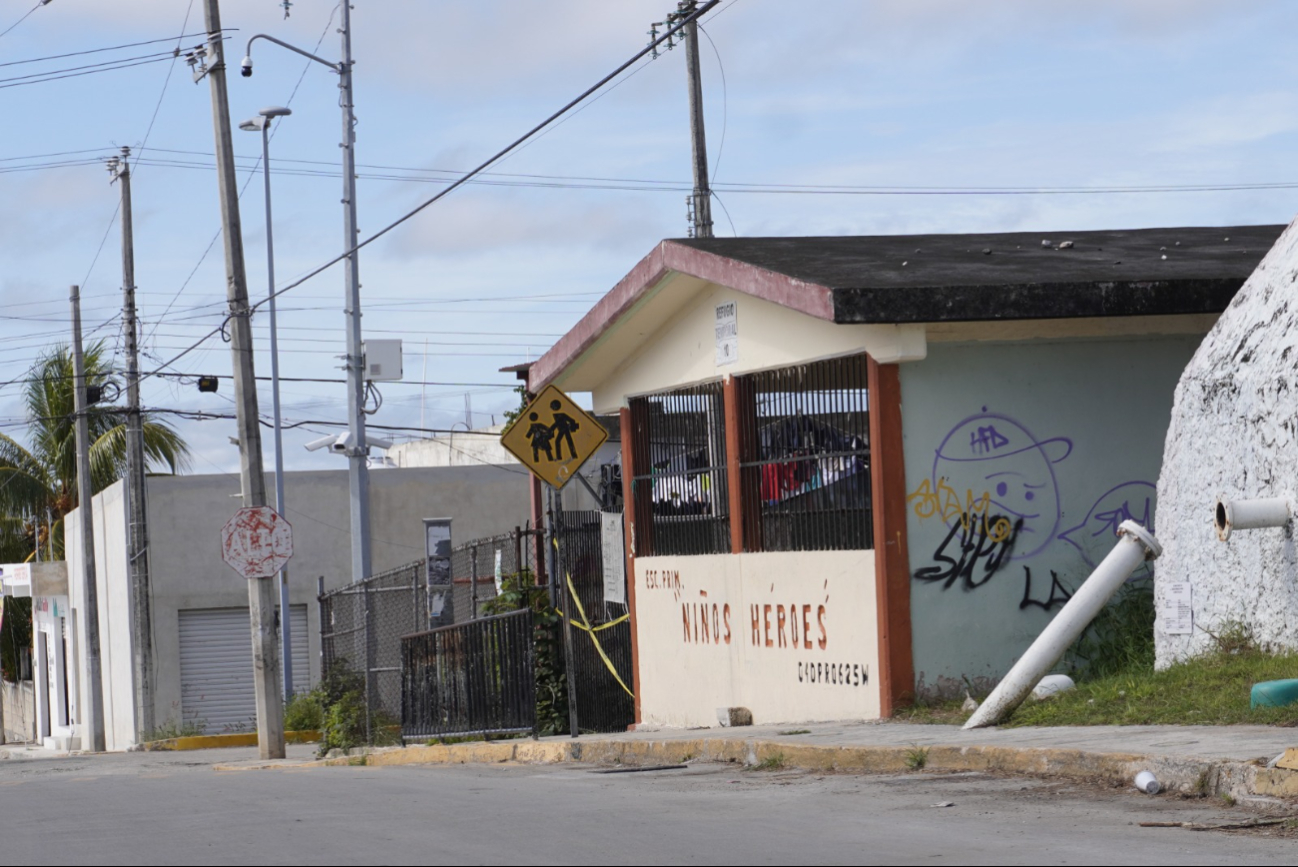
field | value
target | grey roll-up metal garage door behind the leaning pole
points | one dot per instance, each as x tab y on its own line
216	668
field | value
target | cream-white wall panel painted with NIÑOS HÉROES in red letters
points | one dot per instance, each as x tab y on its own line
792	637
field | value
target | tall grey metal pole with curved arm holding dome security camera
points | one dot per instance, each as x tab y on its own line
358	447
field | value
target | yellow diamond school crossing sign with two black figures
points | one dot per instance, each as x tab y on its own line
554	437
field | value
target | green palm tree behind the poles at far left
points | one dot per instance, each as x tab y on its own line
38	482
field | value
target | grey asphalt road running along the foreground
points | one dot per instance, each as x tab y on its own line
175	809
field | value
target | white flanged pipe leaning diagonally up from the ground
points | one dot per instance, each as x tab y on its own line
1135	547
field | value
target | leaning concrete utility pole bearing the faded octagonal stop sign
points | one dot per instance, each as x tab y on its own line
262	594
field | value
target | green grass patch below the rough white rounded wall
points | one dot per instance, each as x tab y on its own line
1212	690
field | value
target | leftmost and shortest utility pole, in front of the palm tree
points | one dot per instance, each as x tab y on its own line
85	496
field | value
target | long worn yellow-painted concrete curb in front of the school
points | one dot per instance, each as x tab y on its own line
1178	775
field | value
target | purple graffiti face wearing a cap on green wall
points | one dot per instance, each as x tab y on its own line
996	467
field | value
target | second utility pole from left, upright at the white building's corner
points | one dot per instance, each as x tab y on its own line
138	529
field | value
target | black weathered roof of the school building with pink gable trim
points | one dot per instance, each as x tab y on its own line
1013	276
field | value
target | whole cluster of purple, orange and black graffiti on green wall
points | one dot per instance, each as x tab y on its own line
994	486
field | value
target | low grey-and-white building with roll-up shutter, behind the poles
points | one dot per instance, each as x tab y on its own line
202	646
